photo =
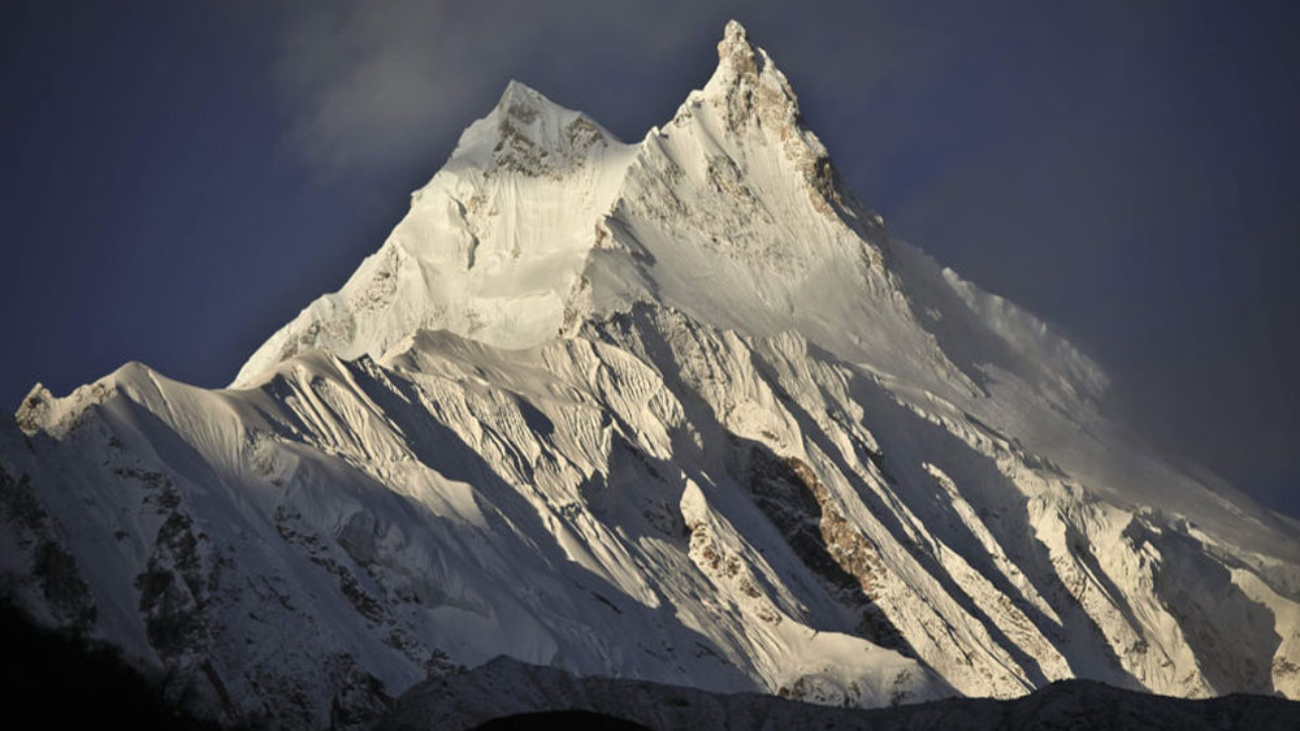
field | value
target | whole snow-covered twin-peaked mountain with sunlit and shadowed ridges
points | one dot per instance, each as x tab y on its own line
678	412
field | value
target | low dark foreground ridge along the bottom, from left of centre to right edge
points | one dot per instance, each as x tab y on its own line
506	694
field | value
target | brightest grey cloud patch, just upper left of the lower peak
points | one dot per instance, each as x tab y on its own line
369	84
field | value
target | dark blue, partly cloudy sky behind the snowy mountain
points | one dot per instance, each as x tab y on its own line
180	179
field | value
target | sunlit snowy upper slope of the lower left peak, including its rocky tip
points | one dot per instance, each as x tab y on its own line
492	245
